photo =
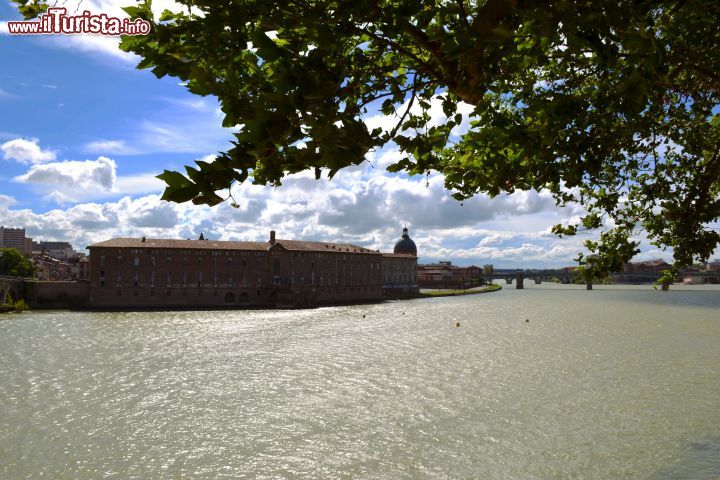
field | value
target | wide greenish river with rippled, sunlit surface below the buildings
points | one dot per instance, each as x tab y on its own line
616	383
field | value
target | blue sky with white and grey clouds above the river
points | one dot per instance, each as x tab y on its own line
83	133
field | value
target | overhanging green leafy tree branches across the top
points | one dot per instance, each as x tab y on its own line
612	104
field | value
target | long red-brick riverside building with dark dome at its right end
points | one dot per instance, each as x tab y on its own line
147	273
